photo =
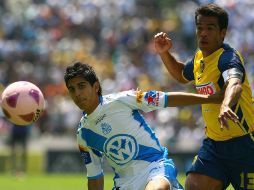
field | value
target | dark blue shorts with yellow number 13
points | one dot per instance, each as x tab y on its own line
230	161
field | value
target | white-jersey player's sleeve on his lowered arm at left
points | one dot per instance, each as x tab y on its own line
90	157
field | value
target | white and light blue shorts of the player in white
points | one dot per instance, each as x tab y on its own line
164	168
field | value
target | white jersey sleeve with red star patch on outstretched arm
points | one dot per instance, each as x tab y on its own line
145	101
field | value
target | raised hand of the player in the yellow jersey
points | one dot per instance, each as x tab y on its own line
162	42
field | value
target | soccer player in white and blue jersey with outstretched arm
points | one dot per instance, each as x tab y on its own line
112	127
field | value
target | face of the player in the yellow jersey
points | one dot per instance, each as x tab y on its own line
209	35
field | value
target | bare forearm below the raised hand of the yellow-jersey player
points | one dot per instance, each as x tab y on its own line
173	66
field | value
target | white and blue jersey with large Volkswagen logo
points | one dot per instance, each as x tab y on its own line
117	131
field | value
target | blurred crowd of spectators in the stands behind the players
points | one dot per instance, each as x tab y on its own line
39	38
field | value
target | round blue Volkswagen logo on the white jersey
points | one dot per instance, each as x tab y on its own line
121	148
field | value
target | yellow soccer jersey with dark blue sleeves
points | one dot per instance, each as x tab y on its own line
207	73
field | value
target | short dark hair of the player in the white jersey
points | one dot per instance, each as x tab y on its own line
83	70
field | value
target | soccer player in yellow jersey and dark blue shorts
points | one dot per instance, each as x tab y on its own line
227	154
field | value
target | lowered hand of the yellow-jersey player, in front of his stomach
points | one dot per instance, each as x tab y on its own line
226	113
